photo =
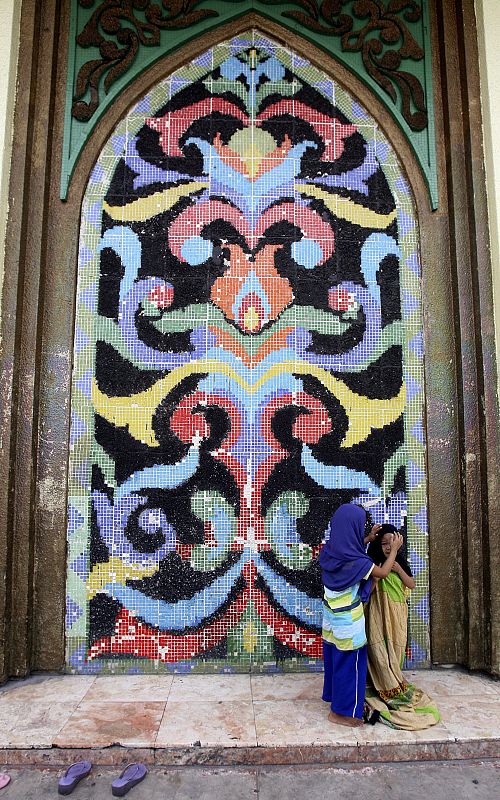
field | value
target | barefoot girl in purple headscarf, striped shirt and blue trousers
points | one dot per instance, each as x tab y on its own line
347	573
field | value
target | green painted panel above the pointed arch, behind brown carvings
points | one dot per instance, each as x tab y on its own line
411	59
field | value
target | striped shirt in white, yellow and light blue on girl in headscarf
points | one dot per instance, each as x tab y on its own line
343	617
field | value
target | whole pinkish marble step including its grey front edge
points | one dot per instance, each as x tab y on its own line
225	720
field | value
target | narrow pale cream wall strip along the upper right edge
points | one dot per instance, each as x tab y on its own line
488	29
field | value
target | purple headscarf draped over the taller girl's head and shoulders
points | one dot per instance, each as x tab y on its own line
343	558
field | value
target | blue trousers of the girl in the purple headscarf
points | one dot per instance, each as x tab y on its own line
345	679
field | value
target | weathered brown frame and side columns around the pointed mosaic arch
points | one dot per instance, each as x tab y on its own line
38	320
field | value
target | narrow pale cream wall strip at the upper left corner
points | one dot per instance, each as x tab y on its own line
10	11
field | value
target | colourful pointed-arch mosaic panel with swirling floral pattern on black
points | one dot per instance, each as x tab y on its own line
248	355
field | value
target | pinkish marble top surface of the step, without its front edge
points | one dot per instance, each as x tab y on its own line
229	711
